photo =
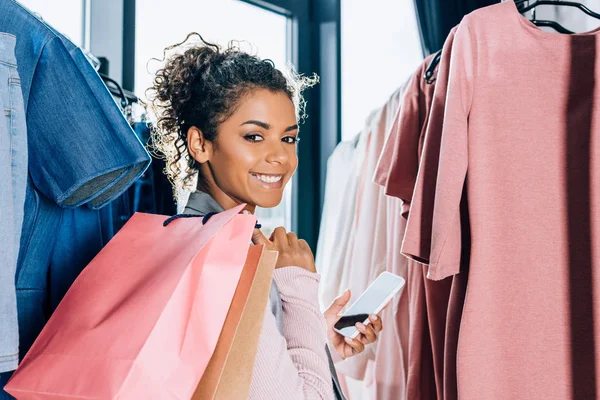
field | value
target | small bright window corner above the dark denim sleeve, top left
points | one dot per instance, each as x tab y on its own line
67	19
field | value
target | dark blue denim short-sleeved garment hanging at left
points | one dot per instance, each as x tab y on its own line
82	152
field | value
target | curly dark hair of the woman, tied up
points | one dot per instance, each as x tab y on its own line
202	86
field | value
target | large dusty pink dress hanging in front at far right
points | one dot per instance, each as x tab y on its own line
517	179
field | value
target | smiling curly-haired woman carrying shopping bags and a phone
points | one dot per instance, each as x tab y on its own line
233	119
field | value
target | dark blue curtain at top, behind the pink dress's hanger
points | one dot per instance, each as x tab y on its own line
437	18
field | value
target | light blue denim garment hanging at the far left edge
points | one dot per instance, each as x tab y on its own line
13	175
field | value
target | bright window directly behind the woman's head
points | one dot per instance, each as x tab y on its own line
218	21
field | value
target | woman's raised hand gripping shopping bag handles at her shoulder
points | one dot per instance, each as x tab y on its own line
292	252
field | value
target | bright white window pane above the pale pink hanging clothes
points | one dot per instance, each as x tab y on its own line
381	48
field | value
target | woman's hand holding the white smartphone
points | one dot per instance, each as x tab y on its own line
345	346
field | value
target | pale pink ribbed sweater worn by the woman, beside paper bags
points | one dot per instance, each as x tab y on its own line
293	366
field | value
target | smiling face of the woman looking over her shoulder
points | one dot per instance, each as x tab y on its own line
254	156
